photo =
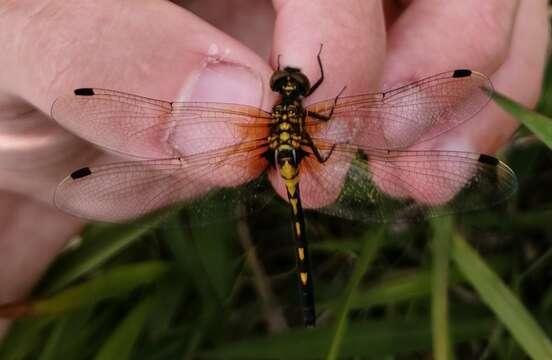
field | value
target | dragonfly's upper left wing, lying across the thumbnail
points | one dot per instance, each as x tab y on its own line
151	129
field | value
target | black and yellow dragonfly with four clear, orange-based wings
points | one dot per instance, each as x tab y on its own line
347	156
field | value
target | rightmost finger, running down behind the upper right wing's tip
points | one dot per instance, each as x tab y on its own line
519	76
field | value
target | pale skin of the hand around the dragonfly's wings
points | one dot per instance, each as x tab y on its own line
155	49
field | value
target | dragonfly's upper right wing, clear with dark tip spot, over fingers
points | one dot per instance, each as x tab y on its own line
404	116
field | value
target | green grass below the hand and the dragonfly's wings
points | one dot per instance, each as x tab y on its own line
467	287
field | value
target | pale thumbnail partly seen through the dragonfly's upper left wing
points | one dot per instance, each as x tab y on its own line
208	129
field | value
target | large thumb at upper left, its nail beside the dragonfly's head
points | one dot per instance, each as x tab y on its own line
152	48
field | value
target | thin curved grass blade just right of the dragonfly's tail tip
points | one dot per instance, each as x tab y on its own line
367	253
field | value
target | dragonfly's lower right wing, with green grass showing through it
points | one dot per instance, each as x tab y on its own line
385	185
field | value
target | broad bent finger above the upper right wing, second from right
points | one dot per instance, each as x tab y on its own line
432	36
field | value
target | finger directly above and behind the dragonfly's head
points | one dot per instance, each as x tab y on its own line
353	38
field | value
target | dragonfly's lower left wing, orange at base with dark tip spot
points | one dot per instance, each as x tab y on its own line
122	192
